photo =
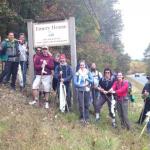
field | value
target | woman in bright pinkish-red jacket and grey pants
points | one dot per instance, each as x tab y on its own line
120	88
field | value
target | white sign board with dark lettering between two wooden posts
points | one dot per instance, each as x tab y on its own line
51	33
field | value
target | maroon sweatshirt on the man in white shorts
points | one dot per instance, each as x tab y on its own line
38	60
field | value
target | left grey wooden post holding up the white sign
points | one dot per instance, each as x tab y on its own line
31	50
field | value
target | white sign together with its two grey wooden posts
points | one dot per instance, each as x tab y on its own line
57	33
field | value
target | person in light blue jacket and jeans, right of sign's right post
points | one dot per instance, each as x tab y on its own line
82	81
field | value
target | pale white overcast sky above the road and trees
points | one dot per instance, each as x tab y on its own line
136	30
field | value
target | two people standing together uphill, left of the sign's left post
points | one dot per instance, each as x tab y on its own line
14	52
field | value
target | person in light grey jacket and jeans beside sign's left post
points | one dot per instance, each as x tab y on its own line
23	57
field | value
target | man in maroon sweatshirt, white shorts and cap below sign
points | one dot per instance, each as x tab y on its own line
43	65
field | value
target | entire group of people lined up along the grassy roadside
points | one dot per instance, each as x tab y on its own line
57	74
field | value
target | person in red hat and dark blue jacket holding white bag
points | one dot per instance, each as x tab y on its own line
63	73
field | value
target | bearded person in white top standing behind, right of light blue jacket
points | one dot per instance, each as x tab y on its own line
96	78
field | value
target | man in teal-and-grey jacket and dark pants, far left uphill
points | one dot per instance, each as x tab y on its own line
11	49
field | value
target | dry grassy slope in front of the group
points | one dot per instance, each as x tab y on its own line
23	127
